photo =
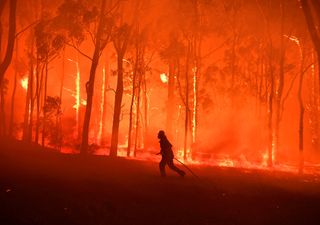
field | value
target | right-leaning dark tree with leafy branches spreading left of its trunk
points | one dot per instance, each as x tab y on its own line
79	18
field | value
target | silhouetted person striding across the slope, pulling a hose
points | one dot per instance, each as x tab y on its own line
167	155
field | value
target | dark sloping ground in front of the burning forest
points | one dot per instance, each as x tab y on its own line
40	186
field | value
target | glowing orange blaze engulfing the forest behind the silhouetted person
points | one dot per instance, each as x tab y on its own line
228	98
